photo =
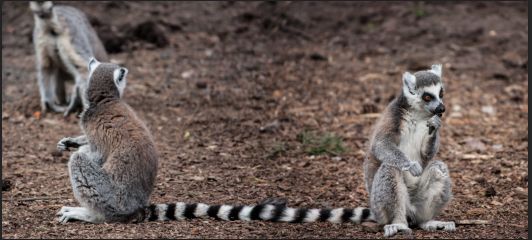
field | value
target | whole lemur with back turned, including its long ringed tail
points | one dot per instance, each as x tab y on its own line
113	171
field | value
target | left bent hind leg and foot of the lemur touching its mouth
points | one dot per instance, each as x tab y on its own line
389	200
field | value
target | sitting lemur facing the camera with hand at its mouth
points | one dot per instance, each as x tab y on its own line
406	186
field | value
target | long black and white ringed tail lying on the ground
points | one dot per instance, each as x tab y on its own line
264	212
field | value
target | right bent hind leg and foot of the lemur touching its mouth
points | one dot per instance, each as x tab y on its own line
432	195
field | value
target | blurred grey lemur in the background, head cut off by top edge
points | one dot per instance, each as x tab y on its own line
64	41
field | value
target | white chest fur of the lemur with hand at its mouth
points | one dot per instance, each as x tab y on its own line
414	132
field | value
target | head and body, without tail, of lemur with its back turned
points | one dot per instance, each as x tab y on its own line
113	171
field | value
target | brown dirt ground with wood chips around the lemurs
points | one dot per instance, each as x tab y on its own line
226	89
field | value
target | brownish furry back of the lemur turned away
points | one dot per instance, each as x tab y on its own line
129	153
